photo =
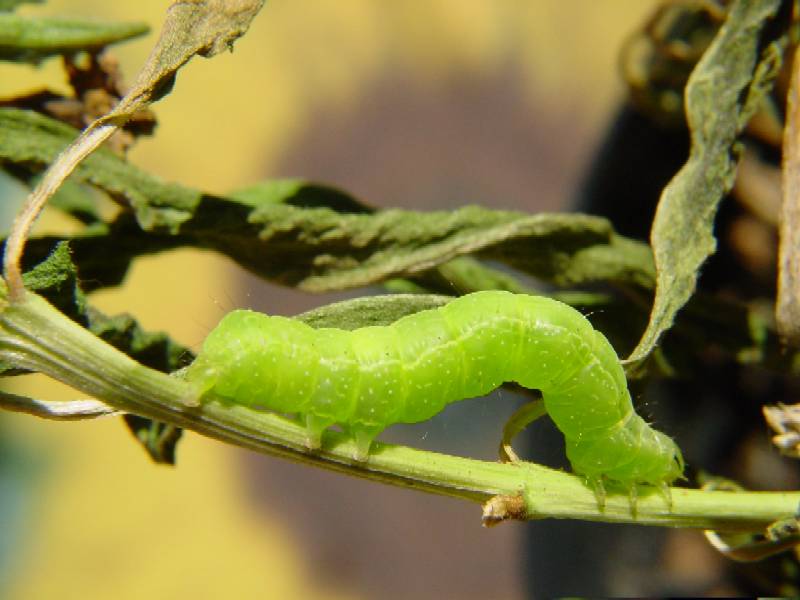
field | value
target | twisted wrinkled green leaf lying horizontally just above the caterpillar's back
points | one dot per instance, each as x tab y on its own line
319	249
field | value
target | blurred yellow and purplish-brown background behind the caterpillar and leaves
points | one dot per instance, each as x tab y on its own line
296	97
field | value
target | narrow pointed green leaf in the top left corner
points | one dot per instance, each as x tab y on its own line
31	39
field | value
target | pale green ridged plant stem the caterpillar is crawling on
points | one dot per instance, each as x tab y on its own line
35	336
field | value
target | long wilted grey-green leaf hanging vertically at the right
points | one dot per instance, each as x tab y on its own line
723	90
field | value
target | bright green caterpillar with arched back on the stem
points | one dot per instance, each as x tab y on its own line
373	377
